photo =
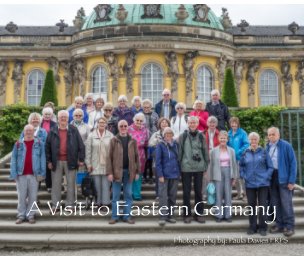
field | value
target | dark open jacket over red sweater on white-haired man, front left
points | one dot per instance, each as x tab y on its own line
75	147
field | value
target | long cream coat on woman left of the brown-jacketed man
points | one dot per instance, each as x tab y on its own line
97	152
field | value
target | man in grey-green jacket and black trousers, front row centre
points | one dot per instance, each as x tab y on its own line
194	160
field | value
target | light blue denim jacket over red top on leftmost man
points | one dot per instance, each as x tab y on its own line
18	158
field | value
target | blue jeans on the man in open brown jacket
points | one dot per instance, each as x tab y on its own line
127	194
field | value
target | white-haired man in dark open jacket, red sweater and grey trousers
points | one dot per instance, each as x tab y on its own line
65	151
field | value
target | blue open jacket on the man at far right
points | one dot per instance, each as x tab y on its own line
287	162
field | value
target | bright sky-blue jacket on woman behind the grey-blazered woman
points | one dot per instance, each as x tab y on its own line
239	142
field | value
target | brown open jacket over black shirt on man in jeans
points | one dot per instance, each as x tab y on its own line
115	161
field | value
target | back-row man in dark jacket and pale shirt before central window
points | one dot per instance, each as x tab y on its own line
166	107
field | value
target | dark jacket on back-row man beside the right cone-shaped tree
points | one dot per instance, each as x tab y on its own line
221	112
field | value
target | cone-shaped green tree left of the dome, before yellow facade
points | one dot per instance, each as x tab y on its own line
49	92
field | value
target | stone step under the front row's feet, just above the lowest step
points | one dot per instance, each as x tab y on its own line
141	226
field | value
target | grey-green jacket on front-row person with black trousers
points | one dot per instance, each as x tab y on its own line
193	147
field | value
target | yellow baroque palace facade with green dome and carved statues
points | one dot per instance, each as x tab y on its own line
141	49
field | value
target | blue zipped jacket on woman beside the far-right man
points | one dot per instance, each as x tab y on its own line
256	168
